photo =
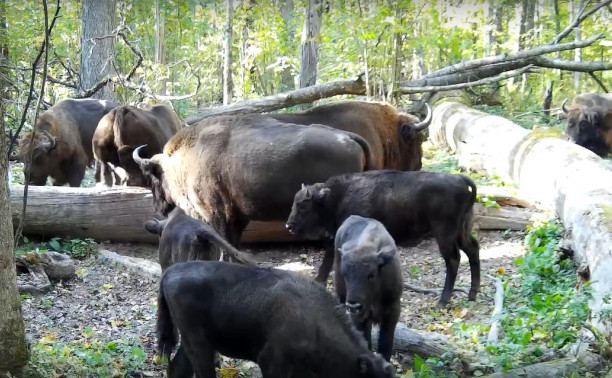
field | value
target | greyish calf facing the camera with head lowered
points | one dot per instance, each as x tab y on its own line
369	278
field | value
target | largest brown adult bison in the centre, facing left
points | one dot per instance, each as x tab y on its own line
229	170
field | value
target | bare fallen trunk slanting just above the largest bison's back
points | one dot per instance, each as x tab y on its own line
284	100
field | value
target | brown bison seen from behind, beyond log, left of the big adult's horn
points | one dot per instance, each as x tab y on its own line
122	130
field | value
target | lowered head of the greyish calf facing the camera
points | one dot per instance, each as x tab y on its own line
361	267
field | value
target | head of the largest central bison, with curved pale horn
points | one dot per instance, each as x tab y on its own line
154	175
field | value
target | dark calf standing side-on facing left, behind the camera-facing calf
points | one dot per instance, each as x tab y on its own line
411	206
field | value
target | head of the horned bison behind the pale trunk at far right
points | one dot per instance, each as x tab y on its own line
589	127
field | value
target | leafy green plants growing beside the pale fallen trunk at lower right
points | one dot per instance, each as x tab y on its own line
544	307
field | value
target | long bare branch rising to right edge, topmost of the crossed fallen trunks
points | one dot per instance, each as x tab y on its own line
505	58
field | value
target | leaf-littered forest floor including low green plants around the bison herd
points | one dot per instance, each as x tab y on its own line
102	322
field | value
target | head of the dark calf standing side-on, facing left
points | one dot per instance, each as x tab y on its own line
309	216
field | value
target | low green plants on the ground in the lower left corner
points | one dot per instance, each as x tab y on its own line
87	357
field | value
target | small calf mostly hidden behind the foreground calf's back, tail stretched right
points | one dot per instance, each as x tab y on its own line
183	238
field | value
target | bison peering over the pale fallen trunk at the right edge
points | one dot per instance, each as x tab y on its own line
589	122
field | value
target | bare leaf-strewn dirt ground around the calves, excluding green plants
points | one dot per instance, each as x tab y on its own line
116	303
